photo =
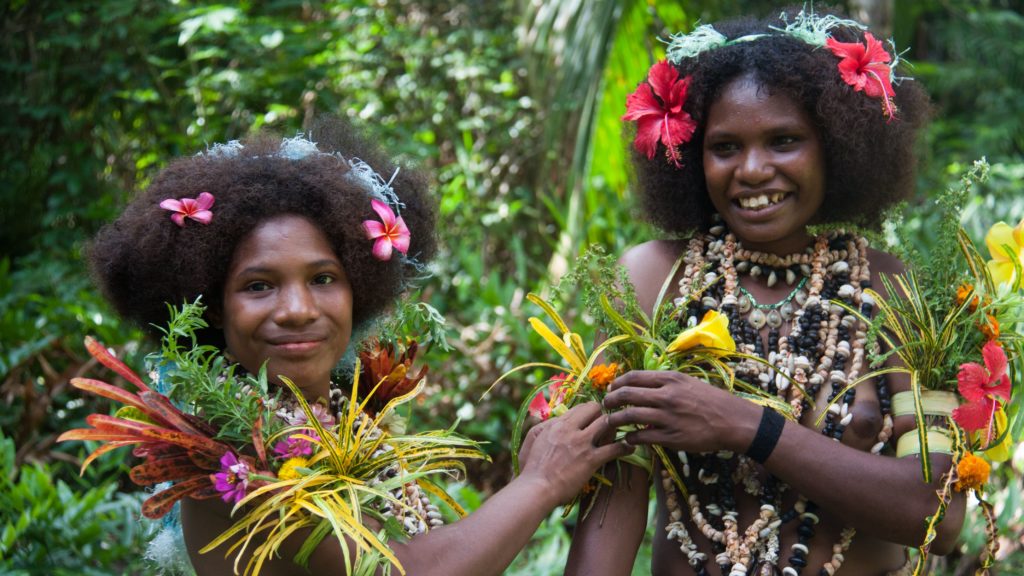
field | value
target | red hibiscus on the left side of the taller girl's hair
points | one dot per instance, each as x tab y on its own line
658	107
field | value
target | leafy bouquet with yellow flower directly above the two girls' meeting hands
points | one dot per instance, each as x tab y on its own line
706	351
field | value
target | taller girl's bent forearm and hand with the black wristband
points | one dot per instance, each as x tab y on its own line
879	496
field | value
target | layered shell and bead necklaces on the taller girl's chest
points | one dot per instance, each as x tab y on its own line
825	345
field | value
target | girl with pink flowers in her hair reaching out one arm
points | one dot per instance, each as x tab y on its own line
293	245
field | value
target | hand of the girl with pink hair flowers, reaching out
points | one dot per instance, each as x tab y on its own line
563	454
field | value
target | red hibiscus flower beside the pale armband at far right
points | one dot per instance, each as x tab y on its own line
982	387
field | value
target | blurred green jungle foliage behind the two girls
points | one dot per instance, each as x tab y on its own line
513	106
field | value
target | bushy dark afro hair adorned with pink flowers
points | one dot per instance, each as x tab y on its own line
143	261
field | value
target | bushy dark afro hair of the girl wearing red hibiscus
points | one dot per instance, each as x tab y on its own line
870	159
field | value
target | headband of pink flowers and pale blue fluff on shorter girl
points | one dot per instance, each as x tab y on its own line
391	233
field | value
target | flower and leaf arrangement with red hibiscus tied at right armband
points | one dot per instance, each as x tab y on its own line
955	324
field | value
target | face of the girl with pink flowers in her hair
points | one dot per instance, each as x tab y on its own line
288	302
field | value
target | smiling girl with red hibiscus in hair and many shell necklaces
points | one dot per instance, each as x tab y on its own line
751	134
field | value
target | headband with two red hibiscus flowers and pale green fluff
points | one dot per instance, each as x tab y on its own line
658	104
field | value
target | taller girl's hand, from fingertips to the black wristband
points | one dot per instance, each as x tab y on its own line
680	413
